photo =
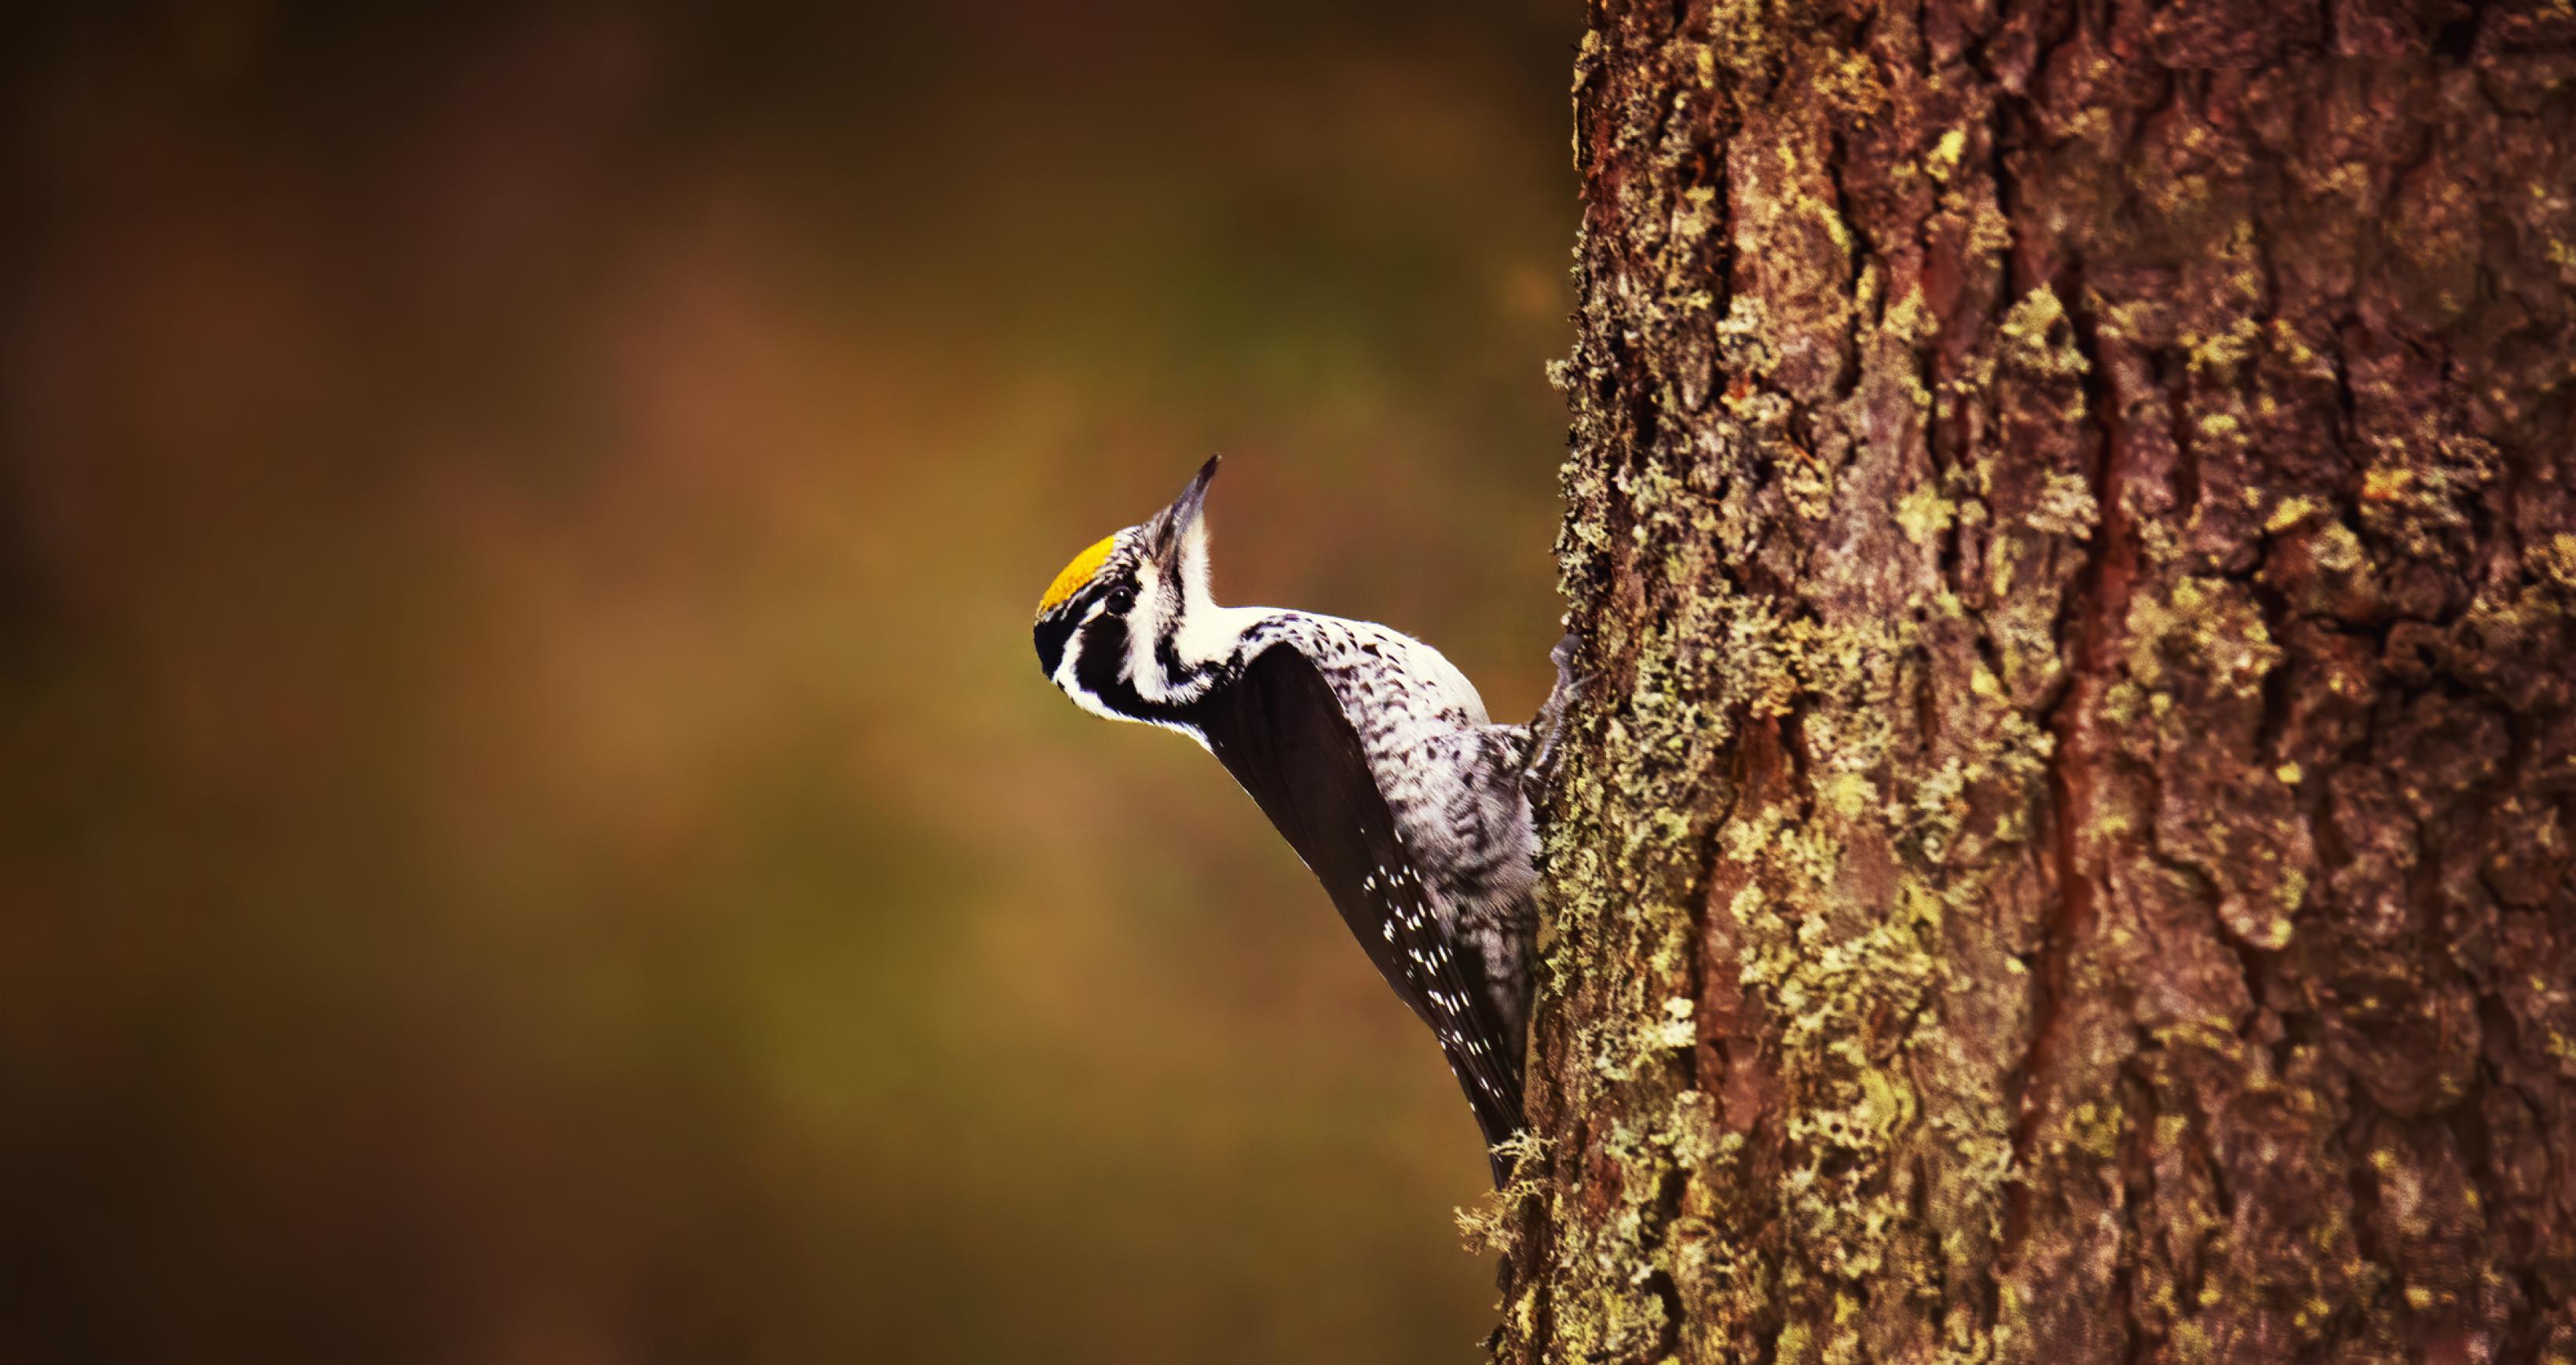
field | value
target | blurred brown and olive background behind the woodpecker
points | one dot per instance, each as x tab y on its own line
532	831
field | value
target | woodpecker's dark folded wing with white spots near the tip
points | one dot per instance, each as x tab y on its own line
1287	740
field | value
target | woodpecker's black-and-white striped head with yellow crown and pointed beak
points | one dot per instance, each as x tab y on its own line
1114	630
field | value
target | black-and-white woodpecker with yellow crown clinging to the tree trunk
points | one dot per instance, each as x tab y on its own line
1369	753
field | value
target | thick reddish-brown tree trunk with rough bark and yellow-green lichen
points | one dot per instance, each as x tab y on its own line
2067	849
